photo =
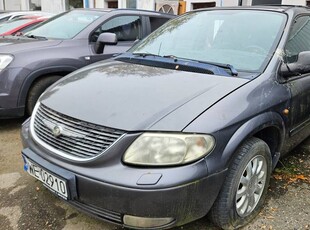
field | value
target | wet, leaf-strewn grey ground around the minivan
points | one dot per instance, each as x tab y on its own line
26	204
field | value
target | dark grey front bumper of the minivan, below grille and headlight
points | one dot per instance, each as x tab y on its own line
174	197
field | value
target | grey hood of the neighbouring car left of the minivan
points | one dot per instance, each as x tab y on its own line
14	44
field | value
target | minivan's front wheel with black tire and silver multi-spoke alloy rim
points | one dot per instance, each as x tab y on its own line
243	193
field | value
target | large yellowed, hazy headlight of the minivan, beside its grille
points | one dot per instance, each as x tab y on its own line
168	149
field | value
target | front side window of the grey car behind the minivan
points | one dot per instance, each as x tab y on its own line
126	28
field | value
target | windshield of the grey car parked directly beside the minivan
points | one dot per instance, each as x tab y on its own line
65	26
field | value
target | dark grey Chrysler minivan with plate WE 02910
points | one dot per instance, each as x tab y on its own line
191	120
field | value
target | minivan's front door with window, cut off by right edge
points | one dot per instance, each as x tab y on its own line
299	40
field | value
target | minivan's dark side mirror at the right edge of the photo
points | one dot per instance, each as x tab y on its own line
301	66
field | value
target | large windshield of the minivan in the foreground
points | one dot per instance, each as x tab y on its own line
244	39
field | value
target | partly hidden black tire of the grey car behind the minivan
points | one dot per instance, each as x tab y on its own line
37	88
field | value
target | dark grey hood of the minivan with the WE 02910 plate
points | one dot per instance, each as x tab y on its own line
135	97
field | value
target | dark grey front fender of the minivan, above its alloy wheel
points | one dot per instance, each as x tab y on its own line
240	115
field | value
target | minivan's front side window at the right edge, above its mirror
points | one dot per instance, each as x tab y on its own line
299	39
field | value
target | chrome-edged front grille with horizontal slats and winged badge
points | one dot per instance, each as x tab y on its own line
74	139
